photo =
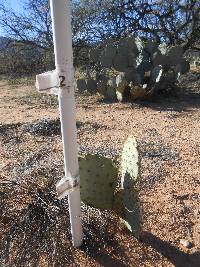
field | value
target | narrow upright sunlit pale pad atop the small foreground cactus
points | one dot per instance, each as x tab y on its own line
130	163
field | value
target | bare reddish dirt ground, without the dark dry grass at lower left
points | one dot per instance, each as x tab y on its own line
168	133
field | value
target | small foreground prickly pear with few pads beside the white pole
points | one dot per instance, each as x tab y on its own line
98	185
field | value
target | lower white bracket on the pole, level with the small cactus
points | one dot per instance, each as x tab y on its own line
67	185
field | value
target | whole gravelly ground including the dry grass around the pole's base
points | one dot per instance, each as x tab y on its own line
36	232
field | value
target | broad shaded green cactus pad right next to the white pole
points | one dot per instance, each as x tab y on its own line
98	180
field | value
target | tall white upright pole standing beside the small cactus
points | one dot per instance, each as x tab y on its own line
62	36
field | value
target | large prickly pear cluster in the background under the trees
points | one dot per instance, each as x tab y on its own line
132	68
